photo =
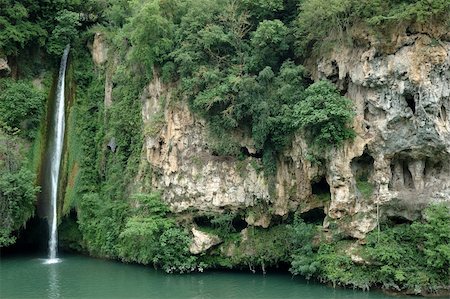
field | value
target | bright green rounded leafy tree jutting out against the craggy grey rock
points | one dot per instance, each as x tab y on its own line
324	115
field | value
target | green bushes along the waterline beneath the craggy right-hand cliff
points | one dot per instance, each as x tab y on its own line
414	258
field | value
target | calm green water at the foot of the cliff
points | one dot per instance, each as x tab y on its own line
83	277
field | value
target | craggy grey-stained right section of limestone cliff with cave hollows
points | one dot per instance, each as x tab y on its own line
403	145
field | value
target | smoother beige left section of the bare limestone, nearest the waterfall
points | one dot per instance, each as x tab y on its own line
184	169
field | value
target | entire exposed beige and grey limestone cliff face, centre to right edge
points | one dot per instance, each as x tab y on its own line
397	164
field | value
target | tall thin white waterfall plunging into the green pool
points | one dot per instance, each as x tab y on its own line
55	152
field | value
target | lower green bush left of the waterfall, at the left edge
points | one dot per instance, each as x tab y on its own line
17	189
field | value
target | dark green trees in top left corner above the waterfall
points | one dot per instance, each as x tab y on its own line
50	24
